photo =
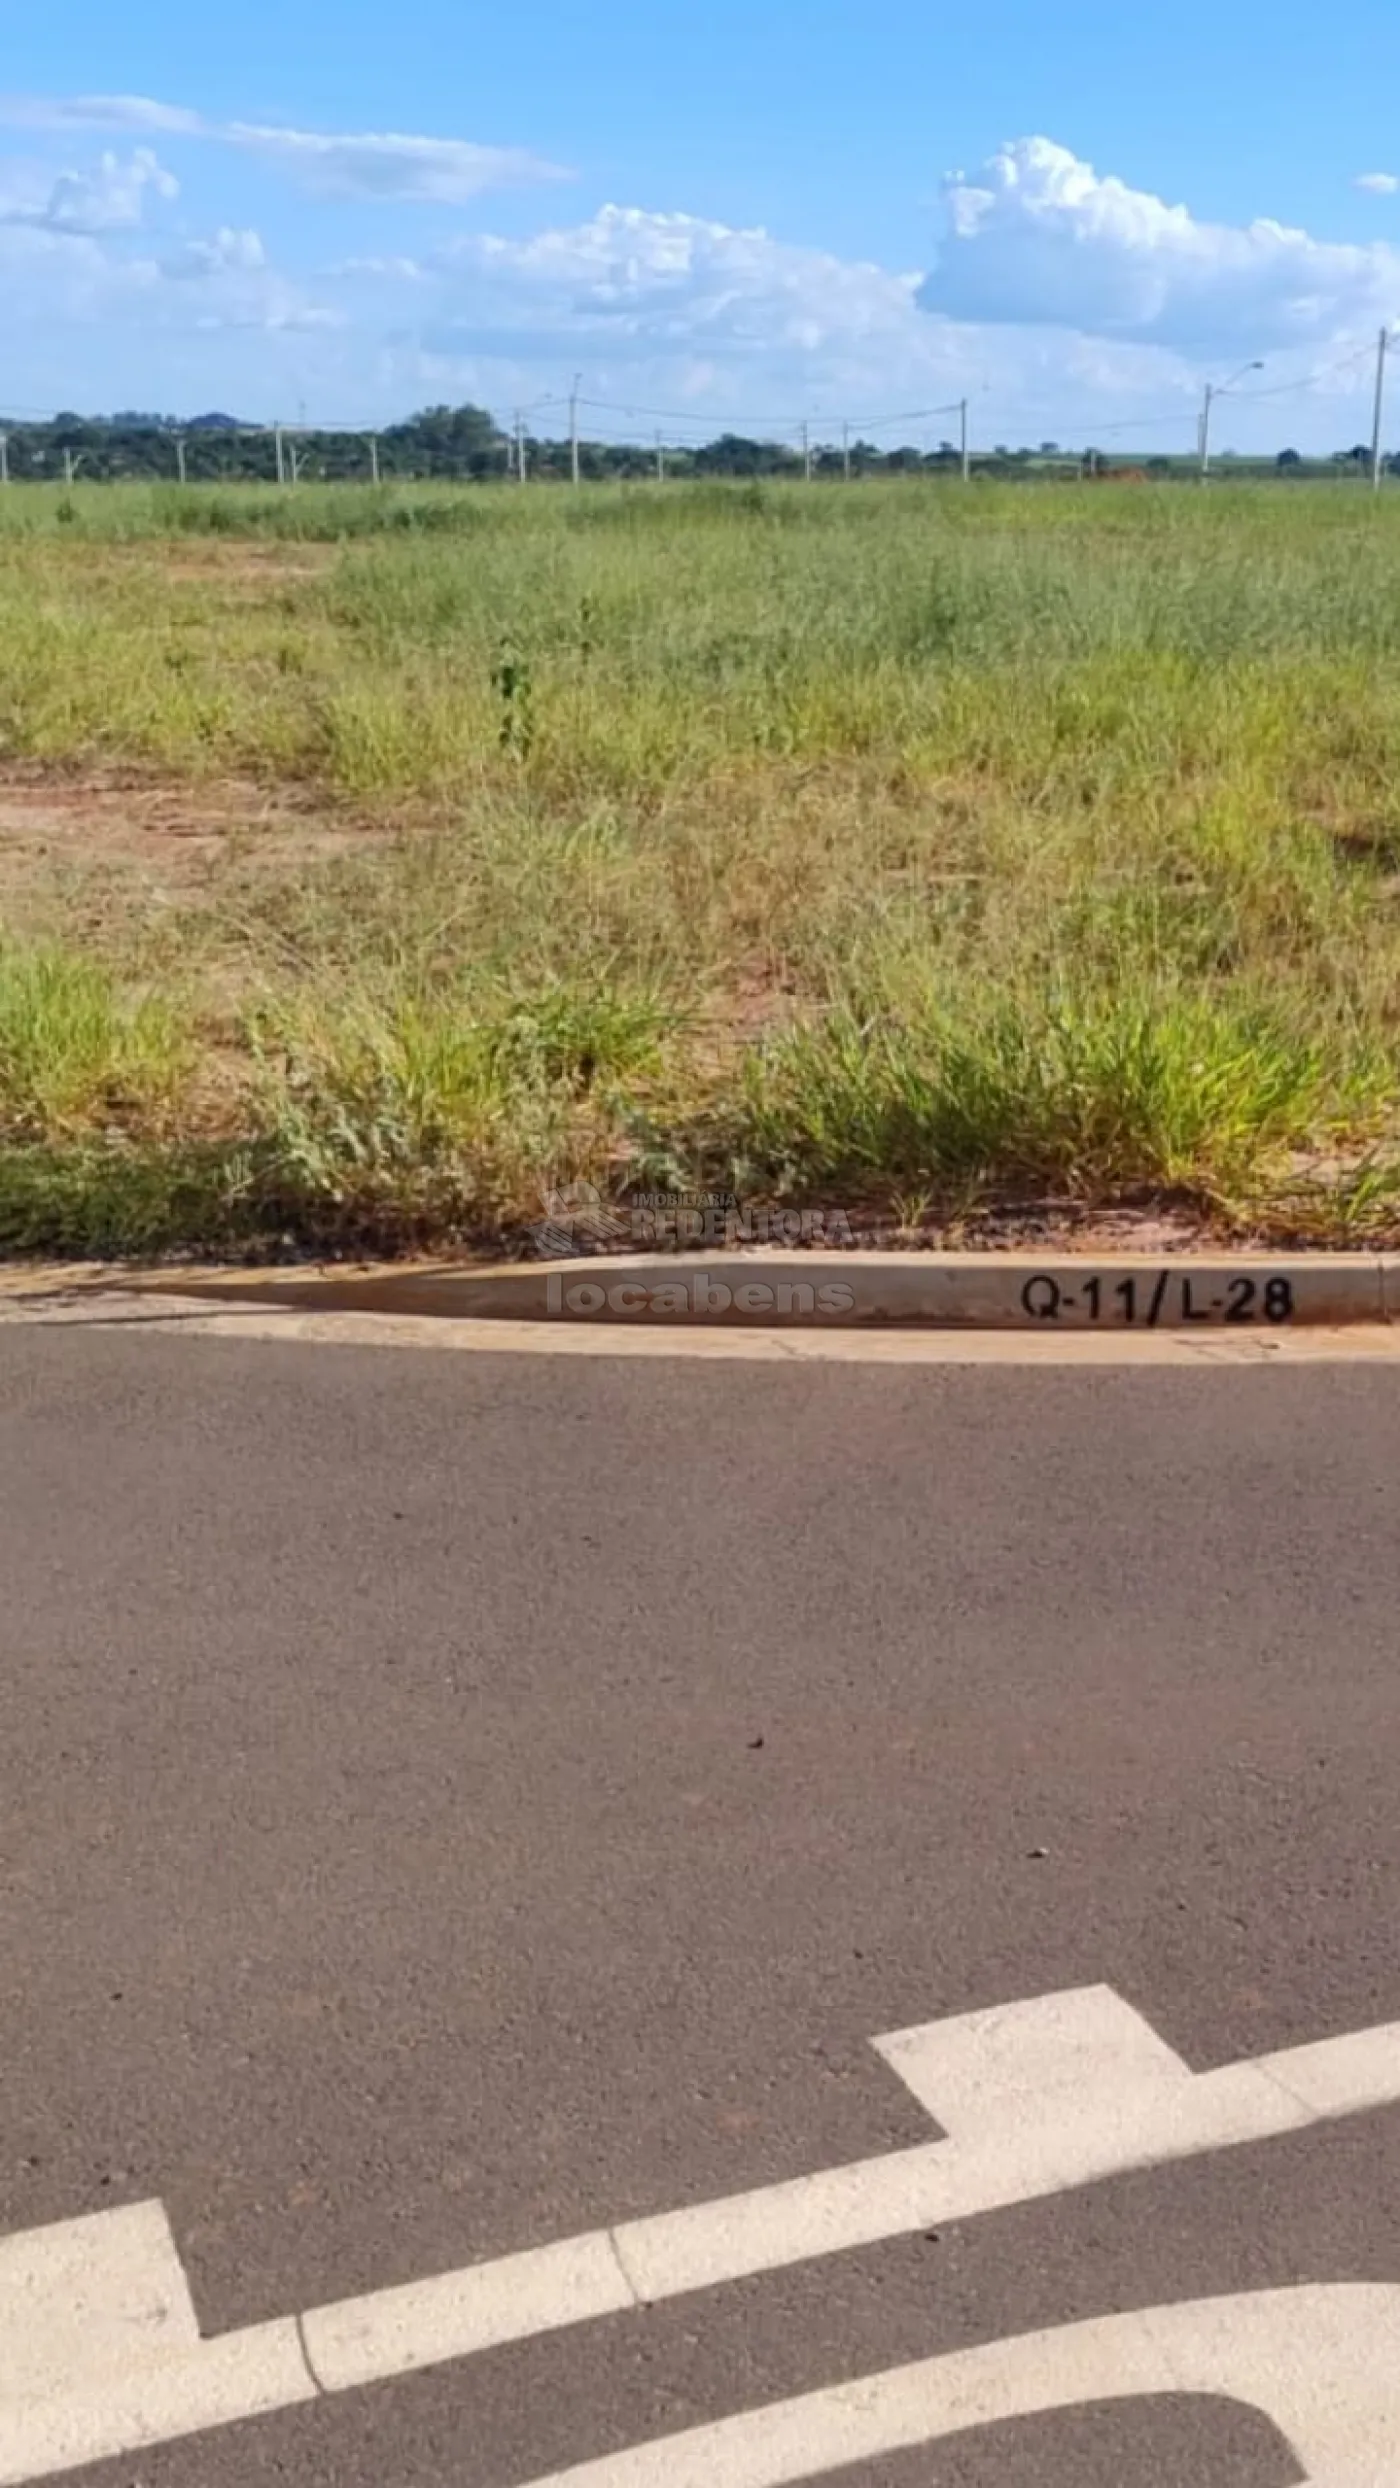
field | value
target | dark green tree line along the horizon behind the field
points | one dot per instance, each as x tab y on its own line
464	444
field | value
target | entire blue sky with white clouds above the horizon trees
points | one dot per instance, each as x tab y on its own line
804	213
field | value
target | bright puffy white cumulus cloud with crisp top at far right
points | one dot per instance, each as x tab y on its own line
1043	238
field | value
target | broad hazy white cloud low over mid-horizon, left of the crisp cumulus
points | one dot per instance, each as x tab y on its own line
735	327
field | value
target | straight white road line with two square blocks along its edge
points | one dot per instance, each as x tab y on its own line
98	2332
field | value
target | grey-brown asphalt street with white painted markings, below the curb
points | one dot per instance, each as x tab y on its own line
466	1803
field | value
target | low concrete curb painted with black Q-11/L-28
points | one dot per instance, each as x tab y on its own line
844	1290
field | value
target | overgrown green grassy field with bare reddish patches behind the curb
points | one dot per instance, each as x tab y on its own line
372	862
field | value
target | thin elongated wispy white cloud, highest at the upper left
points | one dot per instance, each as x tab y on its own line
342	165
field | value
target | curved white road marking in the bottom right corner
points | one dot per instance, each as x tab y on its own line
1324	2365
